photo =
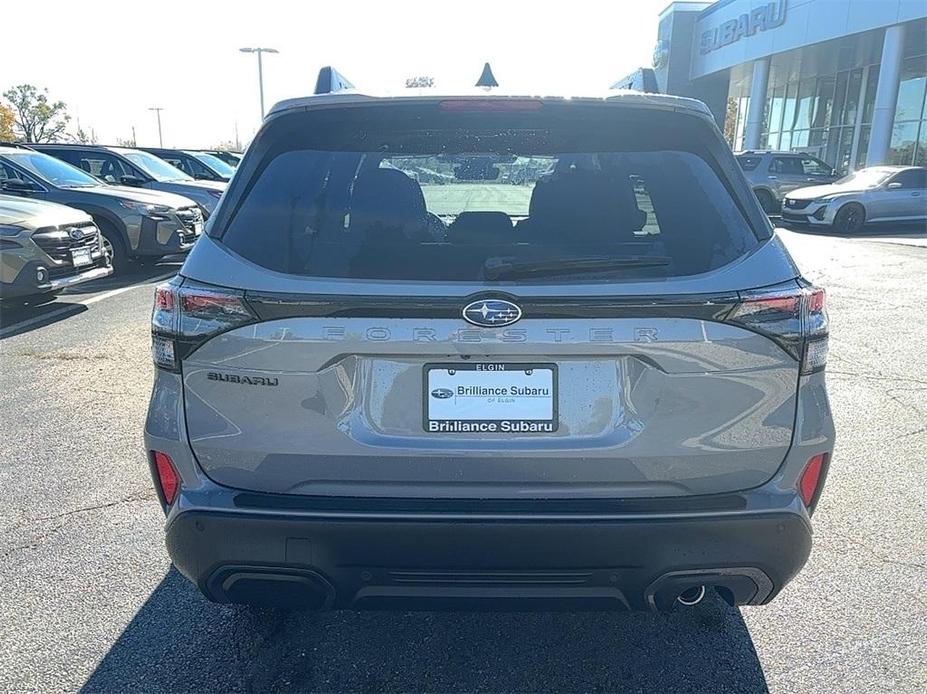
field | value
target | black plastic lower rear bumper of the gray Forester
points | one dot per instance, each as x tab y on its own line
460	561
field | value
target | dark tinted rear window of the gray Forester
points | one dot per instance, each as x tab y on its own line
458	197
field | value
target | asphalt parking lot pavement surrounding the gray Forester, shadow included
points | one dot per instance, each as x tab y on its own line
88	599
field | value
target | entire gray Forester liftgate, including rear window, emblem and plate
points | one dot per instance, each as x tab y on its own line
352	241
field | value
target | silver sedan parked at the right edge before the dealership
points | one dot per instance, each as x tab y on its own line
874	195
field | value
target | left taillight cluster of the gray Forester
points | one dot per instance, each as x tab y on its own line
186	314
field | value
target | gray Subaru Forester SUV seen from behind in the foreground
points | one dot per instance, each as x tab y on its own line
489	351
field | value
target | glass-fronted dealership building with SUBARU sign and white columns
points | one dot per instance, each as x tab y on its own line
845	80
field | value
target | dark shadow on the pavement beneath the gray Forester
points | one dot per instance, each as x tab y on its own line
180	642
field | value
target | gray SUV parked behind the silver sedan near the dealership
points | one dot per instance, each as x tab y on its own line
773	174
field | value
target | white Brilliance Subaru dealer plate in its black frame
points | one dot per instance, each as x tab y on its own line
490	398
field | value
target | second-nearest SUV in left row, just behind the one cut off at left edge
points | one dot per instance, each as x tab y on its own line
135	223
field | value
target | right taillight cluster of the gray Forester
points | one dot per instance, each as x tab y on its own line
793	316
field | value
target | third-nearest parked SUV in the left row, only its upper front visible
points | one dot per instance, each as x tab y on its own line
133	167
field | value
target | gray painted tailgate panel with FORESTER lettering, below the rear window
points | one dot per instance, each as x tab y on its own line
643	406
